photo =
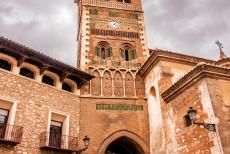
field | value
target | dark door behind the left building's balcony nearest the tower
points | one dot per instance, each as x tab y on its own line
55	134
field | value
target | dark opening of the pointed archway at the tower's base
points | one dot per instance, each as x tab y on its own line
124	145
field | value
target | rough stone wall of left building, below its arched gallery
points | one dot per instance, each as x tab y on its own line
34	101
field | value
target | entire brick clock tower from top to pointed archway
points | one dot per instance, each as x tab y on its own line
112	47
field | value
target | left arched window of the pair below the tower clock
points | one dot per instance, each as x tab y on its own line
103	50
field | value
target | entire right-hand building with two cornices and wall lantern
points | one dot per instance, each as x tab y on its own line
176	83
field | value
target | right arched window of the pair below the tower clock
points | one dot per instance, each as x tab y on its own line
128	52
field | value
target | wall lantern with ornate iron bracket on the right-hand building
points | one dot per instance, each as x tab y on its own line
190	118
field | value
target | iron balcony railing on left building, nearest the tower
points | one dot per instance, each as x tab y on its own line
58	142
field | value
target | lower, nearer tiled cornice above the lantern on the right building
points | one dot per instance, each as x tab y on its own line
199	72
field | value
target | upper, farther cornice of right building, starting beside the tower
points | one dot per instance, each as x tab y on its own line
158	55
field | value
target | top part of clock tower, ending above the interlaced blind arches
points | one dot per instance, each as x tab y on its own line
111	33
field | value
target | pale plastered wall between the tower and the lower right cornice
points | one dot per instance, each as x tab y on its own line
161	77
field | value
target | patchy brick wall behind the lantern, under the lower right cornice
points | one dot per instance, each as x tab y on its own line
194	138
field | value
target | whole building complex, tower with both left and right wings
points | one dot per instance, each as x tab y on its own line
129	99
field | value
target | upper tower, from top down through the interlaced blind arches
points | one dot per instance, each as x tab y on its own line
112	46
